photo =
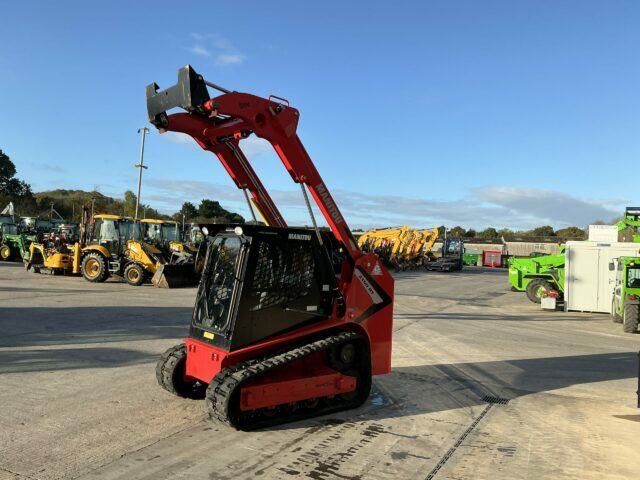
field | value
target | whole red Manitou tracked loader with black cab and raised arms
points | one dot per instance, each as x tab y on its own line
289	323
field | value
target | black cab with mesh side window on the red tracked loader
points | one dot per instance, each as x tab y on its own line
258	282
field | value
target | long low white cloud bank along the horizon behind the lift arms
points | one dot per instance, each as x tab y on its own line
500	207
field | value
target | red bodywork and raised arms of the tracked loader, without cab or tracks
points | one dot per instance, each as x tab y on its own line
365	286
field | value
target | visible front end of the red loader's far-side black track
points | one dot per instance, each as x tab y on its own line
170	371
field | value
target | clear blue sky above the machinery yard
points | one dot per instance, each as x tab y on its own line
478	113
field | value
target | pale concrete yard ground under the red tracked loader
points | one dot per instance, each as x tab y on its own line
78	396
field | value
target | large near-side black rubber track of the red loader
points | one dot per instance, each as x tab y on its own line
224	388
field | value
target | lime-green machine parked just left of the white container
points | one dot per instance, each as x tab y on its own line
534	275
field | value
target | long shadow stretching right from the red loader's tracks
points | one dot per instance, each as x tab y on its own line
424	389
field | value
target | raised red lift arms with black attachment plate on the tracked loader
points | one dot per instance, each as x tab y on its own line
218	124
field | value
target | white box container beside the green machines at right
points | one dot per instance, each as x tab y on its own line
588	281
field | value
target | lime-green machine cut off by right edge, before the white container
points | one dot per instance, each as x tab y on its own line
625	306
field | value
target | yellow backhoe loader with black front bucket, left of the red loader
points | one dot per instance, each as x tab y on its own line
110	245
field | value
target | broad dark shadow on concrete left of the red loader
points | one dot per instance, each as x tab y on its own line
49	329
